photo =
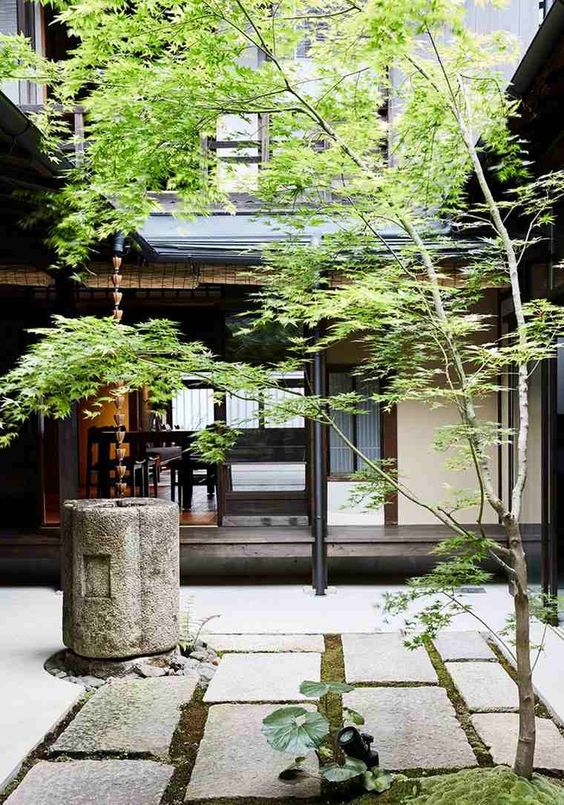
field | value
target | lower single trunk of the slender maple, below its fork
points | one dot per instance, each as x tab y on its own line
524	756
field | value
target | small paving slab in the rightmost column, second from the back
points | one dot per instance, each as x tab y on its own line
485	687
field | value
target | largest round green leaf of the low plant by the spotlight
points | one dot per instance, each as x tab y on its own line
295	730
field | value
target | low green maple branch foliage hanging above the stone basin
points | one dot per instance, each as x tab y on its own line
77	359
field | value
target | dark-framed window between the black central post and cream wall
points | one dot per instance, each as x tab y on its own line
362	429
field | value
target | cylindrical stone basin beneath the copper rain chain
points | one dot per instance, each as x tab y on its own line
120	568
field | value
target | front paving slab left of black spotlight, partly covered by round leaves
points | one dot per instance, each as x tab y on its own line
235	760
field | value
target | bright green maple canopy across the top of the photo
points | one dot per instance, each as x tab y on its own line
137	65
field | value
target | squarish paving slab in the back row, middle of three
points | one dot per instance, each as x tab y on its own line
382	657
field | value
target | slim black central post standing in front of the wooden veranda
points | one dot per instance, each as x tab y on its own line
319	438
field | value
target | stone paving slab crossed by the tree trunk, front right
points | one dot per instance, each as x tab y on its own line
499	732
